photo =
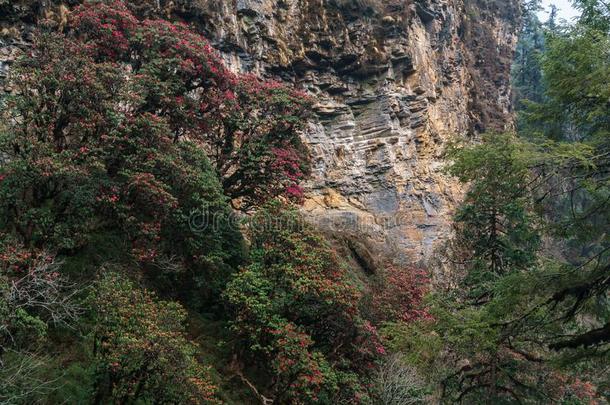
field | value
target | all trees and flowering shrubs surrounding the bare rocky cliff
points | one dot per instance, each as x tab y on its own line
123	130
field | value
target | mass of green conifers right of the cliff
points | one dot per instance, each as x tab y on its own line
529	322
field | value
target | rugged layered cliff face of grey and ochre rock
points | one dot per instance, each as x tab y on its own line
394	81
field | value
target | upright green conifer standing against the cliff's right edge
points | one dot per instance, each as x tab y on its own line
494	224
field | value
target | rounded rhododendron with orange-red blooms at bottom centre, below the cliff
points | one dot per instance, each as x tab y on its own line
297	313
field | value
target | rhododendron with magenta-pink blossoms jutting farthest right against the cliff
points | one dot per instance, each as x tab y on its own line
261	132
